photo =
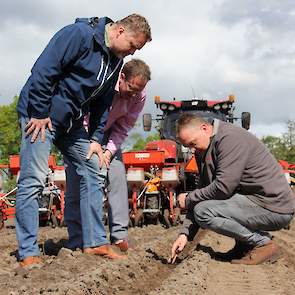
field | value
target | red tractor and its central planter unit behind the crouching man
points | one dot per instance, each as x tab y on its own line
164	168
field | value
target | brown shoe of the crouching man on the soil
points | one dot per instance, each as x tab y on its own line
268	252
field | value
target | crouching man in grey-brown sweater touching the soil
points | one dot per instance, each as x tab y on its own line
243	192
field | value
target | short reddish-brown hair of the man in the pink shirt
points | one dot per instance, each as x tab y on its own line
136	67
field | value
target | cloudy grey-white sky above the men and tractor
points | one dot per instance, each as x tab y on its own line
207	49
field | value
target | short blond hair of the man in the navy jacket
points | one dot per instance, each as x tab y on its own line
136	23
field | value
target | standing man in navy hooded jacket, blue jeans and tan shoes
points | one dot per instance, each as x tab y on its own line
75	74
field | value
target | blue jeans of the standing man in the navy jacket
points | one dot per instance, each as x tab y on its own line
34	168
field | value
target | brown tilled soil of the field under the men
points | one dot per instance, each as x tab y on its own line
145	271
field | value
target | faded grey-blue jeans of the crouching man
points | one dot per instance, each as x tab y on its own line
240	218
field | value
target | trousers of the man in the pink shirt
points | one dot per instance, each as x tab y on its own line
117	194
